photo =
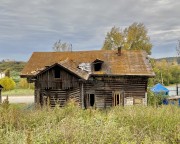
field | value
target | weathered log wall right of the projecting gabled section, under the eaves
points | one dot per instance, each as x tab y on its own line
134	87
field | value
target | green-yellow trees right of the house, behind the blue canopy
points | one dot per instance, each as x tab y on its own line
167	72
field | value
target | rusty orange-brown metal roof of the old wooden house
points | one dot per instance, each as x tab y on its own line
132	62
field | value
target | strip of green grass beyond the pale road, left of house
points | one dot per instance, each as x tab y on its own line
18	92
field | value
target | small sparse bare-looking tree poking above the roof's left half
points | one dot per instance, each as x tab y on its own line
62	46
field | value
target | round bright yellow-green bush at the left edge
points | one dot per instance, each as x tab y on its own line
7	83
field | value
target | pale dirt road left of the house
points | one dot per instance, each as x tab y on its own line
20	99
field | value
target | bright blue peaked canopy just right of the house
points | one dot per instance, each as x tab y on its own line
160	89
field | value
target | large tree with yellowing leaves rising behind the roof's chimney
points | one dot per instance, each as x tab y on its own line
133	37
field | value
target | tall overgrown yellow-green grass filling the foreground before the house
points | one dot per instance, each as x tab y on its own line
74	125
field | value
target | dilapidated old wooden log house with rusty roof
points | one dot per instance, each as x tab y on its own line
99	79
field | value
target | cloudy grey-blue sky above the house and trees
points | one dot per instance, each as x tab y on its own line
35	25
